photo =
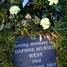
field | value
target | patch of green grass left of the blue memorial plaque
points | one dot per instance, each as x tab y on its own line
6	48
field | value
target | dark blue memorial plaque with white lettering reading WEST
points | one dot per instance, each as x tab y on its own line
31	52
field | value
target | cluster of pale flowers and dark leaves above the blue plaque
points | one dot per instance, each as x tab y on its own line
35	18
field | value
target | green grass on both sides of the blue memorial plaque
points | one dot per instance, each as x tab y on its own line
6	47
